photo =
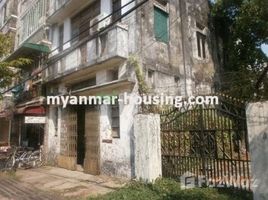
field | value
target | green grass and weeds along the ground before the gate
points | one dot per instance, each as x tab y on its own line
166	189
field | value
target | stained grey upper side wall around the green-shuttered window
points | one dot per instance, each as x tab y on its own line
179	56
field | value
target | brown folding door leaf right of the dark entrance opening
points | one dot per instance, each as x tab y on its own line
92	138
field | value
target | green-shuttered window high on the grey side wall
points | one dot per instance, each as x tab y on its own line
161	19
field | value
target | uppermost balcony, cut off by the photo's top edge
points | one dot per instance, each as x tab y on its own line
61	9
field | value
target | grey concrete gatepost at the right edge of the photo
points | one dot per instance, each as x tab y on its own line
257	121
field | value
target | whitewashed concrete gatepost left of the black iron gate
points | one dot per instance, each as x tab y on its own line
147	146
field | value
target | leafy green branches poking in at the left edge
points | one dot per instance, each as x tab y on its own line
7	69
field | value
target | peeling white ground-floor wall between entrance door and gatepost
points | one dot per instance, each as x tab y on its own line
117	154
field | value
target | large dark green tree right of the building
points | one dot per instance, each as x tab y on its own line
243	27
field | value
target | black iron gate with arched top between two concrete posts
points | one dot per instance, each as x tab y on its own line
208	142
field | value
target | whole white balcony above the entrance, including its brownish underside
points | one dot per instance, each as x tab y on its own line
109	49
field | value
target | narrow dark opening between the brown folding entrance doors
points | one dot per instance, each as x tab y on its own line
80	135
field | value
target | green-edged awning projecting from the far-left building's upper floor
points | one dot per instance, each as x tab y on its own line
28	50
